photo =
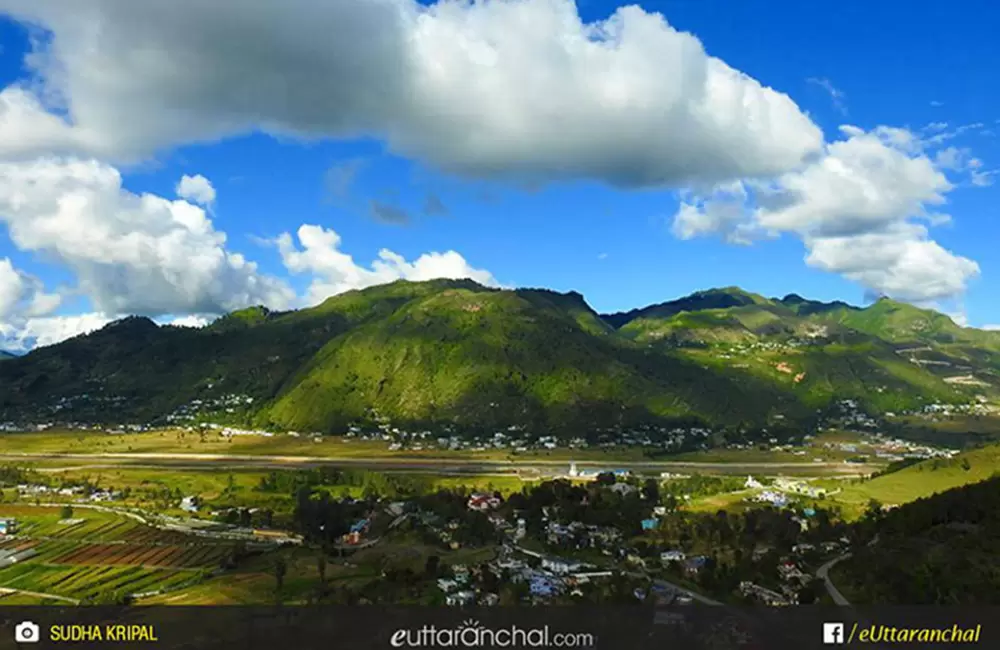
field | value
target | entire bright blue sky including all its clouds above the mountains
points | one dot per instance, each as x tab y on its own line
515	207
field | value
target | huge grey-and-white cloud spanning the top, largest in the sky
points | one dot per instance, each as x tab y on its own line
517	89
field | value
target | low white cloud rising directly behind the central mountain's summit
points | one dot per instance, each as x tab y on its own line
318	254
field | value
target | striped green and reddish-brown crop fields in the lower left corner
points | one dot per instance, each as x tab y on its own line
99	555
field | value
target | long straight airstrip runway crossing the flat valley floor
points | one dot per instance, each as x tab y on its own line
402	463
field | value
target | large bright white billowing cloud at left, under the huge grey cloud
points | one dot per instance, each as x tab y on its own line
129	253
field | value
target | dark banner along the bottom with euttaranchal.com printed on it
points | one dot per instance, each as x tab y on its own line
604	628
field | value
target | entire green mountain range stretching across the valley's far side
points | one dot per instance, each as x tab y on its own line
444	352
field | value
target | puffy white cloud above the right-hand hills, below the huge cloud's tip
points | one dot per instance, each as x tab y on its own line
862	210
